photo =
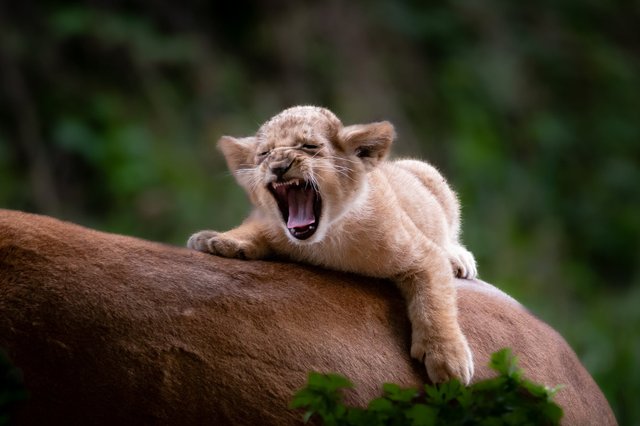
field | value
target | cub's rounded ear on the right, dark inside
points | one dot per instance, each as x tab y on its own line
370	142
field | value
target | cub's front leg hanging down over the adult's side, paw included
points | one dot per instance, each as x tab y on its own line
436	337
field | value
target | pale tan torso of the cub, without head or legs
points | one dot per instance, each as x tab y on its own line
394	214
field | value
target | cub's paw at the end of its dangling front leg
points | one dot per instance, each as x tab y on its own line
445	359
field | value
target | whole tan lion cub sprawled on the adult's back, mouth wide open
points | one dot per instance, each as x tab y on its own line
324	195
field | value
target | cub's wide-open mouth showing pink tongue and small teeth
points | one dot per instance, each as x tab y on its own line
300	205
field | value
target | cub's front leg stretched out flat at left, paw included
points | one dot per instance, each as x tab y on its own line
244	242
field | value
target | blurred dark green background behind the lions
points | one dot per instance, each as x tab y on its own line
110	110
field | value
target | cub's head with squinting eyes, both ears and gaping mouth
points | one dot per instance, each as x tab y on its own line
304	169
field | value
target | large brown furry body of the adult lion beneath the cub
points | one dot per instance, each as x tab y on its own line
115	330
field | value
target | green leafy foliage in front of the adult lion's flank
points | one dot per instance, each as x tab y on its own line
507	399
